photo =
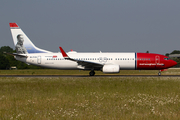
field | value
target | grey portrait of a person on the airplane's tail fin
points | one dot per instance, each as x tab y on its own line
20	49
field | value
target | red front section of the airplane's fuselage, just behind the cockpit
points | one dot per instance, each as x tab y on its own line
150	61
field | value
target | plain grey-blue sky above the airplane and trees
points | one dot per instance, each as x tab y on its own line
95	25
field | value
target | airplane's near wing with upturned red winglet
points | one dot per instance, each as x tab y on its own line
81	62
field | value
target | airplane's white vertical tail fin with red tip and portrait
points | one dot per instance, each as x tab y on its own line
22	43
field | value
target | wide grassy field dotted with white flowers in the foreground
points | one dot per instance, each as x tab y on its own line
90	98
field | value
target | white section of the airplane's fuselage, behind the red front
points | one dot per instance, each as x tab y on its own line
126	61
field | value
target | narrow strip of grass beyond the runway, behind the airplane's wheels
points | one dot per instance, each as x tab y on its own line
81	72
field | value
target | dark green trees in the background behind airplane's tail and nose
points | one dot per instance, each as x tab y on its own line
7	61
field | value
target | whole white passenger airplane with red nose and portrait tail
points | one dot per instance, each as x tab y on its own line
112	62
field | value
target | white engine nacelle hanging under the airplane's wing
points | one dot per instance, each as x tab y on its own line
111	69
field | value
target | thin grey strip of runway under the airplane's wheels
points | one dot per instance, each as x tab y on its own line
38	76
